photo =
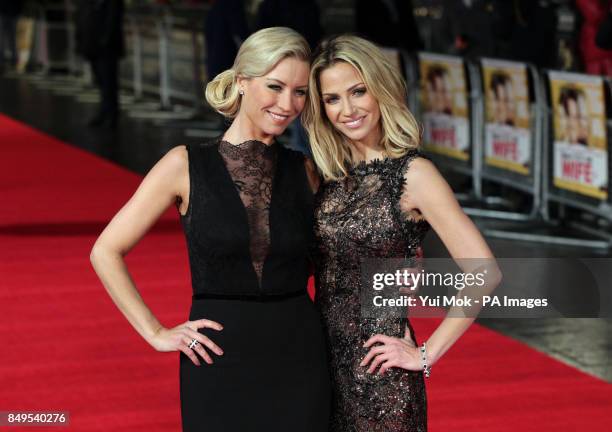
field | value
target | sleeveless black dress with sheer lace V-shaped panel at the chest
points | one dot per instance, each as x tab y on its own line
249	229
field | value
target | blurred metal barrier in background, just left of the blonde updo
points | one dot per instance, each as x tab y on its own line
164	45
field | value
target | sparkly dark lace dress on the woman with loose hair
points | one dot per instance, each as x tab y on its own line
359	217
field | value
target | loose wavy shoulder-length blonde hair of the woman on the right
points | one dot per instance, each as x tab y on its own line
400	130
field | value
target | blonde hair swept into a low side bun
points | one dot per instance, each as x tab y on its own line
257	55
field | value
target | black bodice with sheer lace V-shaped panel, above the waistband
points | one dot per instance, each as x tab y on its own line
249	221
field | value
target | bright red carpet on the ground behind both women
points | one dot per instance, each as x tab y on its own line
66	347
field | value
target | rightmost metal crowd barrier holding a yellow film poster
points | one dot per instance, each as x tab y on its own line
598	204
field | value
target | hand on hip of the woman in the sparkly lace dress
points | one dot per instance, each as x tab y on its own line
392	352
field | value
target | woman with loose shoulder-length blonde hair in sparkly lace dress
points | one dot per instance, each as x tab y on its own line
377	200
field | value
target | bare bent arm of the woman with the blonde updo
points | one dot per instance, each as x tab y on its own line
167	181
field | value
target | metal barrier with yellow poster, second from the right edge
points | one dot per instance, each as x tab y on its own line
508	137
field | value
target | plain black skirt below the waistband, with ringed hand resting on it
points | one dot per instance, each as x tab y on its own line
273	375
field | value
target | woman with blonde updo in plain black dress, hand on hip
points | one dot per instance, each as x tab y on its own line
252	354
